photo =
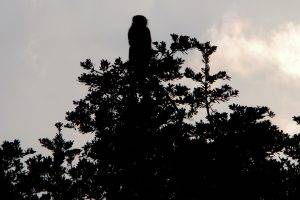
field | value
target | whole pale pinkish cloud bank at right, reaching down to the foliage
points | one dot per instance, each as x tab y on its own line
264	65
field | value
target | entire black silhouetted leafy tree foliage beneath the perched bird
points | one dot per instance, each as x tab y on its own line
151	142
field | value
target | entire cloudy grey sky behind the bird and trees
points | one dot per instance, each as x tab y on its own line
43	41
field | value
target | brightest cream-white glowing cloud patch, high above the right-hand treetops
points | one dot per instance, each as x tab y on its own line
247	50
